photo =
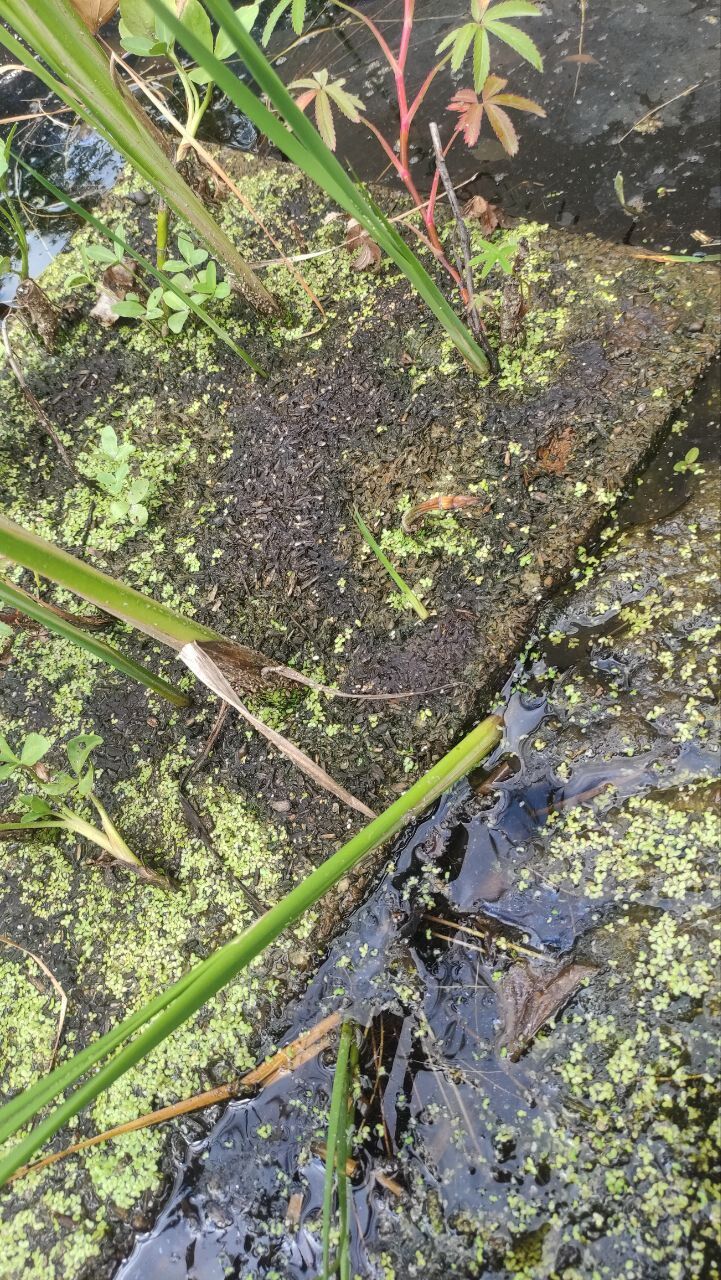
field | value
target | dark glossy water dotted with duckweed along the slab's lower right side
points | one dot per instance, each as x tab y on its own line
501	971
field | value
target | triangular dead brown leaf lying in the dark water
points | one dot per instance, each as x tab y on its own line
531	995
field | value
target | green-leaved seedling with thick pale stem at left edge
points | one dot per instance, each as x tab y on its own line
49	806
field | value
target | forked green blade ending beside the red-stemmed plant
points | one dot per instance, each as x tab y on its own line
302	143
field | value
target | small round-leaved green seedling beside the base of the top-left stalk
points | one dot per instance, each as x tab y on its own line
199	284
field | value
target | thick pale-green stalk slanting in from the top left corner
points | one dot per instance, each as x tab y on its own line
84	81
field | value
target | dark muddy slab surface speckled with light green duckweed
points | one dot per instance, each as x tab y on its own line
250	492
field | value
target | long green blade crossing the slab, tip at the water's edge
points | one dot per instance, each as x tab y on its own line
172	1008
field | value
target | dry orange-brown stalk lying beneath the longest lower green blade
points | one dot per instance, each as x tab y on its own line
308	1045
